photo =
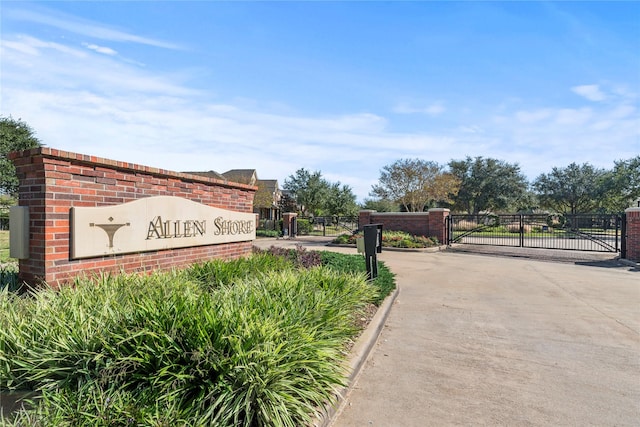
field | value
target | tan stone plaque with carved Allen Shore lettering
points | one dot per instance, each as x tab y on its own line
155	223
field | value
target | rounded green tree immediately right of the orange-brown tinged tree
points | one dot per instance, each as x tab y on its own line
487	184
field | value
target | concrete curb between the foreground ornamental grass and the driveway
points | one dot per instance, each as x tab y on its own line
357	358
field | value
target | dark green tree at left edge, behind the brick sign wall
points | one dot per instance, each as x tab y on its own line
14	135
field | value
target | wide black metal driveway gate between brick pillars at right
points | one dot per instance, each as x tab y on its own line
582	232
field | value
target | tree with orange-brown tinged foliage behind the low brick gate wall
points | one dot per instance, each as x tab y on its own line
415	183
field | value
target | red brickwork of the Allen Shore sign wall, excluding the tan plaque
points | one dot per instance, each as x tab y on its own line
53	181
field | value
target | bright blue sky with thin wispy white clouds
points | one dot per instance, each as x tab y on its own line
341	87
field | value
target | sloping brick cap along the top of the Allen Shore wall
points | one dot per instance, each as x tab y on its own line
126	166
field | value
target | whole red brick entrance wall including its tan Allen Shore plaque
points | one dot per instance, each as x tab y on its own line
84	214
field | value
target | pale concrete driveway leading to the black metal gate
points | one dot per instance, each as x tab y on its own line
501	341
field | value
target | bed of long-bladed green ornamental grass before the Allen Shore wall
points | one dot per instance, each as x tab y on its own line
191	348
